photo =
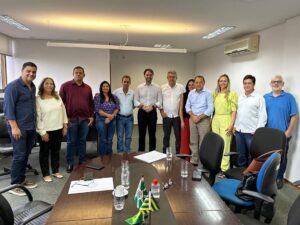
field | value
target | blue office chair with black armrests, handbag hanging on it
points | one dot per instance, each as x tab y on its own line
264	197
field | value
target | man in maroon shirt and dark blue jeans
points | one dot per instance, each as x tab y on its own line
78	99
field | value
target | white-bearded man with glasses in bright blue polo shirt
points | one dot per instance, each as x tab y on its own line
283	115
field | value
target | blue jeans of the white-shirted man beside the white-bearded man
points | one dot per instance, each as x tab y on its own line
243	142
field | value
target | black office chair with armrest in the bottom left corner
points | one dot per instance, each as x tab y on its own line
32	212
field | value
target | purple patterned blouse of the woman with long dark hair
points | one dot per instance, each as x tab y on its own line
107	107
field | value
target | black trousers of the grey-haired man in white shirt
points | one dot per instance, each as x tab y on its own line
168	123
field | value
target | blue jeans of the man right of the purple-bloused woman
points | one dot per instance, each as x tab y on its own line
124	128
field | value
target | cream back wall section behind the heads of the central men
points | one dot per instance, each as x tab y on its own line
134	64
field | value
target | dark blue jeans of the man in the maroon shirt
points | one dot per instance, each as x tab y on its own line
76	140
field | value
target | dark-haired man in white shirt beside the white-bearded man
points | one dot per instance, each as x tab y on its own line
251	114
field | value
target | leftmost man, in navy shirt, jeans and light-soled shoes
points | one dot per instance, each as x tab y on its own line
20	114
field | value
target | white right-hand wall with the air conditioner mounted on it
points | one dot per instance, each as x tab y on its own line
278	54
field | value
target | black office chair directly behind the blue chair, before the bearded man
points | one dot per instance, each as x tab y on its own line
264	140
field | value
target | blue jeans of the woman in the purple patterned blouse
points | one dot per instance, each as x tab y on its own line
106	134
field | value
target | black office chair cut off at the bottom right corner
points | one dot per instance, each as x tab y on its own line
293	216
